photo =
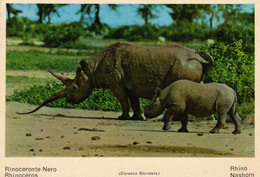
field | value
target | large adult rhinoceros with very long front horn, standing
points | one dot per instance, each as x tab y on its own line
132	71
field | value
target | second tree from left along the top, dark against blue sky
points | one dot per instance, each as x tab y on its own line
47	10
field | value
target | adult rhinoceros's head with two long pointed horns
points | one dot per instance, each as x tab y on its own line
77	89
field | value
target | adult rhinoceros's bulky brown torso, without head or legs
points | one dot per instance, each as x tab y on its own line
144	68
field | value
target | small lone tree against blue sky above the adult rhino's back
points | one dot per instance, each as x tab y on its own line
146	12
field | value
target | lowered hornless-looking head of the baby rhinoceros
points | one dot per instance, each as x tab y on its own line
155	108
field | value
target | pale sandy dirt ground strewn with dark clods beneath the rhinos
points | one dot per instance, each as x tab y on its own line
53	132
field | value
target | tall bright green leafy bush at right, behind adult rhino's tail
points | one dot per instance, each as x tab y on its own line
234	67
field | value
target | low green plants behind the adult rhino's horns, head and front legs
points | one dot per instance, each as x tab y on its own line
100	99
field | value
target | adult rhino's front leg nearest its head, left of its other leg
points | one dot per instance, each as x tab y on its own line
120	93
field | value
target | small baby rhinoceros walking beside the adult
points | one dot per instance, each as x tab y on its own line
185	97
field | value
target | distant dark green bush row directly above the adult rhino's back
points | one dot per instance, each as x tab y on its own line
183	32
